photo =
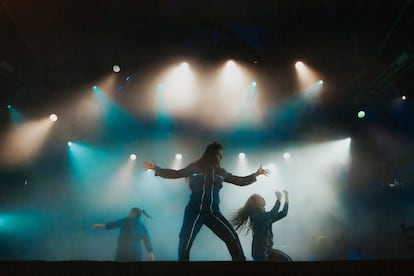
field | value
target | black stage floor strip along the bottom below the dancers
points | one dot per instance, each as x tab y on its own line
377	267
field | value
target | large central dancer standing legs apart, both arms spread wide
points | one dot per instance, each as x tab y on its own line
206	178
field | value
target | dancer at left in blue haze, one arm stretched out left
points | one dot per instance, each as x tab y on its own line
132	232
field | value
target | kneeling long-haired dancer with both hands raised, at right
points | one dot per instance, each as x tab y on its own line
252	216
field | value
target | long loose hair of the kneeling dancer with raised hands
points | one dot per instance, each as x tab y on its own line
241	218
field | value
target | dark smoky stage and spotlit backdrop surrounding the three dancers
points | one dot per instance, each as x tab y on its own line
349	176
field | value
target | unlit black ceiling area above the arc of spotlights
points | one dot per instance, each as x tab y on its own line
364	48
